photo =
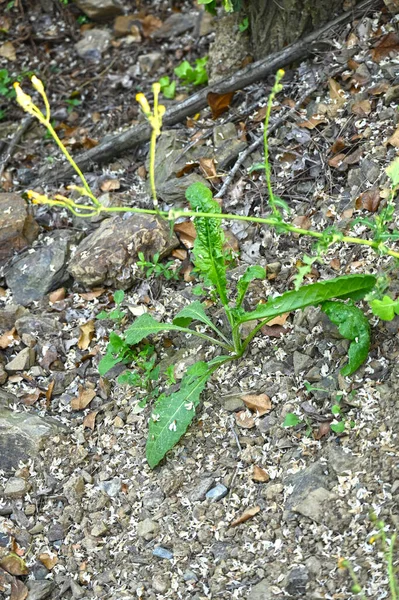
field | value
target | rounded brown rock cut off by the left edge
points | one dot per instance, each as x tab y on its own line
18	228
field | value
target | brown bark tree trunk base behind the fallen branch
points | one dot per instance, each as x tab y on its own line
276	23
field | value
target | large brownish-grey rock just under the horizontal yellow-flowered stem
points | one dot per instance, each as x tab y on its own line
108	256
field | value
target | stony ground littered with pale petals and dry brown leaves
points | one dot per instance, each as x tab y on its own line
242	507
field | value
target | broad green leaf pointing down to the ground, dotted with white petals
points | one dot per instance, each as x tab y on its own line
173	414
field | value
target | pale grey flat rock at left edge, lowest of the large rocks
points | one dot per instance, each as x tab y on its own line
22	435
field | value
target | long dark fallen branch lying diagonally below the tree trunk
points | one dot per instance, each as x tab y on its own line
253	72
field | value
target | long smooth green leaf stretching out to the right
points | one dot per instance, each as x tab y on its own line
347	286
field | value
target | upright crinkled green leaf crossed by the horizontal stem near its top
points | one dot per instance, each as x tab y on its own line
208	245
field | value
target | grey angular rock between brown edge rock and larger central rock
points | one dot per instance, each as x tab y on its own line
40	270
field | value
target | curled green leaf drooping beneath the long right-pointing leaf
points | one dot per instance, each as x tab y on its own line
354	326
